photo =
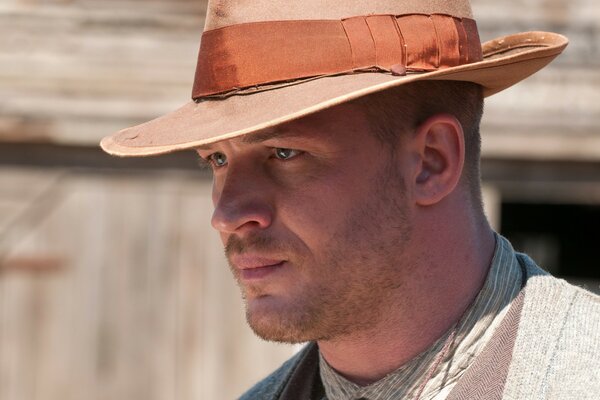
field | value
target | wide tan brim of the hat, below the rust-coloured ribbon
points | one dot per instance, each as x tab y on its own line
506	61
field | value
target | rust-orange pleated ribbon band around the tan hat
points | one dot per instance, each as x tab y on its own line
261	53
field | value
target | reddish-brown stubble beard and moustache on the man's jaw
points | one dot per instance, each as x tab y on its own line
355	280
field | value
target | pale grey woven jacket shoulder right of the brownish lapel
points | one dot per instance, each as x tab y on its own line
557	352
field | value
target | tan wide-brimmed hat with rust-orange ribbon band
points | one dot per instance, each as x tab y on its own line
263	62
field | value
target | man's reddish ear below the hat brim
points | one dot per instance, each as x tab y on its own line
439	147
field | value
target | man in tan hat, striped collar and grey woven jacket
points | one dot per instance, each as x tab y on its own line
344	143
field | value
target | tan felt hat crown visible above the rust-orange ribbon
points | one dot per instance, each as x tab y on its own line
221	13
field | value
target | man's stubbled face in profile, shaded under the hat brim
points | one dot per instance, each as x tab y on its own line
315	222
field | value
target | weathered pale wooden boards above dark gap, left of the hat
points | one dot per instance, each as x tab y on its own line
72	71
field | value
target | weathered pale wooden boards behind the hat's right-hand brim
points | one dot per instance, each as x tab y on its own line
555	114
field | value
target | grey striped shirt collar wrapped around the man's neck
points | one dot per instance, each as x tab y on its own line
473	332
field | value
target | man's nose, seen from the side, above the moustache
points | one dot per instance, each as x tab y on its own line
241	203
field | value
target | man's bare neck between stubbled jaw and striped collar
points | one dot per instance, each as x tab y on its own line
443	286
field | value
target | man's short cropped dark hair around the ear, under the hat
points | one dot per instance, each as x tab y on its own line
402	110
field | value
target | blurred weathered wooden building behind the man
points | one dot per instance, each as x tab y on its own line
112	284
